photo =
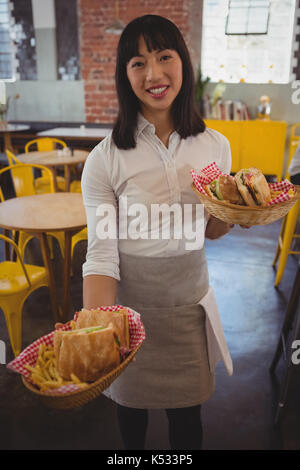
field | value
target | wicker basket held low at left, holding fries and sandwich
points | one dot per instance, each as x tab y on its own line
83	396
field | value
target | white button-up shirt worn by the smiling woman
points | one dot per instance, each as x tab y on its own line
149	174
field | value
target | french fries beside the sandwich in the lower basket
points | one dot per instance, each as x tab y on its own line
45	374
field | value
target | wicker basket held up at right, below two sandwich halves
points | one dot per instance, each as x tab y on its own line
245	215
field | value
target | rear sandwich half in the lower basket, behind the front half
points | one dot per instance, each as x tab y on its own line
119	320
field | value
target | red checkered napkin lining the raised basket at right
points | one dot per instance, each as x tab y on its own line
211	172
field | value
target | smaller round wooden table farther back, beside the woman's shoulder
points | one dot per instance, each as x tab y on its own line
55	158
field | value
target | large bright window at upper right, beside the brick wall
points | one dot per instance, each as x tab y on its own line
246	53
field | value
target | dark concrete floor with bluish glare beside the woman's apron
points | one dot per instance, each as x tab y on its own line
240	415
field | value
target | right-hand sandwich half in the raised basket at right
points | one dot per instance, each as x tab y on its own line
253	187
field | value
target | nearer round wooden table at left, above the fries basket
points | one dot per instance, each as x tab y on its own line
44	213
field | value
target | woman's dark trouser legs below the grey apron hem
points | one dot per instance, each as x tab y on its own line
185	427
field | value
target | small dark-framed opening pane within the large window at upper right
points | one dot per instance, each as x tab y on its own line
248	17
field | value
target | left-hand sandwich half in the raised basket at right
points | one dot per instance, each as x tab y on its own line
224	188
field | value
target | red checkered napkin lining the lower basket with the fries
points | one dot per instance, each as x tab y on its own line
30	354
